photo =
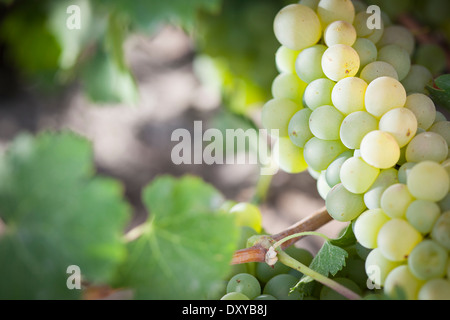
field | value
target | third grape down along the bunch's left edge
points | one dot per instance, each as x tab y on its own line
288	86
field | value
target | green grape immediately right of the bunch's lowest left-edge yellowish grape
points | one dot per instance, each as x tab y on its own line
319	154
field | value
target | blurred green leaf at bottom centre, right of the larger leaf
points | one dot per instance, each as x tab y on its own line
186	245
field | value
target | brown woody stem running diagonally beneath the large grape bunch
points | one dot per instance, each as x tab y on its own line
257	253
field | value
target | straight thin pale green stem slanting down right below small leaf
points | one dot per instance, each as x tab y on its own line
287	260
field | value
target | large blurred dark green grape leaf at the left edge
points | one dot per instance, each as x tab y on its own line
56	214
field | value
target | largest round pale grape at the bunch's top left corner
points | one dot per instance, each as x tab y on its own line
296	17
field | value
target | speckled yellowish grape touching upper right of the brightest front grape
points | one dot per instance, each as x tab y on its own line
401	123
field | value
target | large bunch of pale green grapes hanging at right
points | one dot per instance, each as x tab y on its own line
350	107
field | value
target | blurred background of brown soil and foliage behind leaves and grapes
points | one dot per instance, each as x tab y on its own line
137	70
